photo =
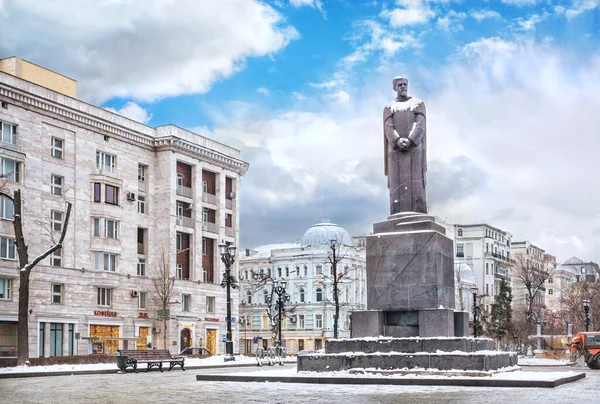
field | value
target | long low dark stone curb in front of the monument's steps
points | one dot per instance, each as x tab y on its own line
390	381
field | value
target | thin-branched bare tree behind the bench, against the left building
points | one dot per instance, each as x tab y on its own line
163	292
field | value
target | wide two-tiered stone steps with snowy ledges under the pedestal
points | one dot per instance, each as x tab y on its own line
424	354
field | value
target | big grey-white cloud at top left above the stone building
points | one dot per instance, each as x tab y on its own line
143	50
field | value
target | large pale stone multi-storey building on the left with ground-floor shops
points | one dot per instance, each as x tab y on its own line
142	199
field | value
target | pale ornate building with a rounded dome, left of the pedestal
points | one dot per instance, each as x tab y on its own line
306	271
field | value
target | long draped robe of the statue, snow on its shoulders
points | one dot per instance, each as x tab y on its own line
406	169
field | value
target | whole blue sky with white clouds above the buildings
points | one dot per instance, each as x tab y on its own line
512	89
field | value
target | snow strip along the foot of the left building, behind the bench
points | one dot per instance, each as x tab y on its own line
189	362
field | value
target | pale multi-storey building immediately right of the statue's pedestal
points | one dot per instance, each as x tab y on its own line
486	250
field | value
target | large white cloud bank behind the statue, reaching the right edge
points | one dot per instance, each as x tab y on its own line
511	143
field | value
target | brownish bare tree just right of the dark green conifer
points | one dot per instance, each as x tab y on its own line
530	276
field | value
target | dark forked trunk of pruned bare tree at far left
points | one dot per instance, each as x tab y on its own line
26	266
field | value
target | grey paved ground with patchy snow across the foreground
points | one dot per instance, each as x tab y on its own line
177	386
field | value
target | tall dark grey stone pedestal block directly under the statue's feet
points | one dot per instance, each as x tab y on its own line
410	278
